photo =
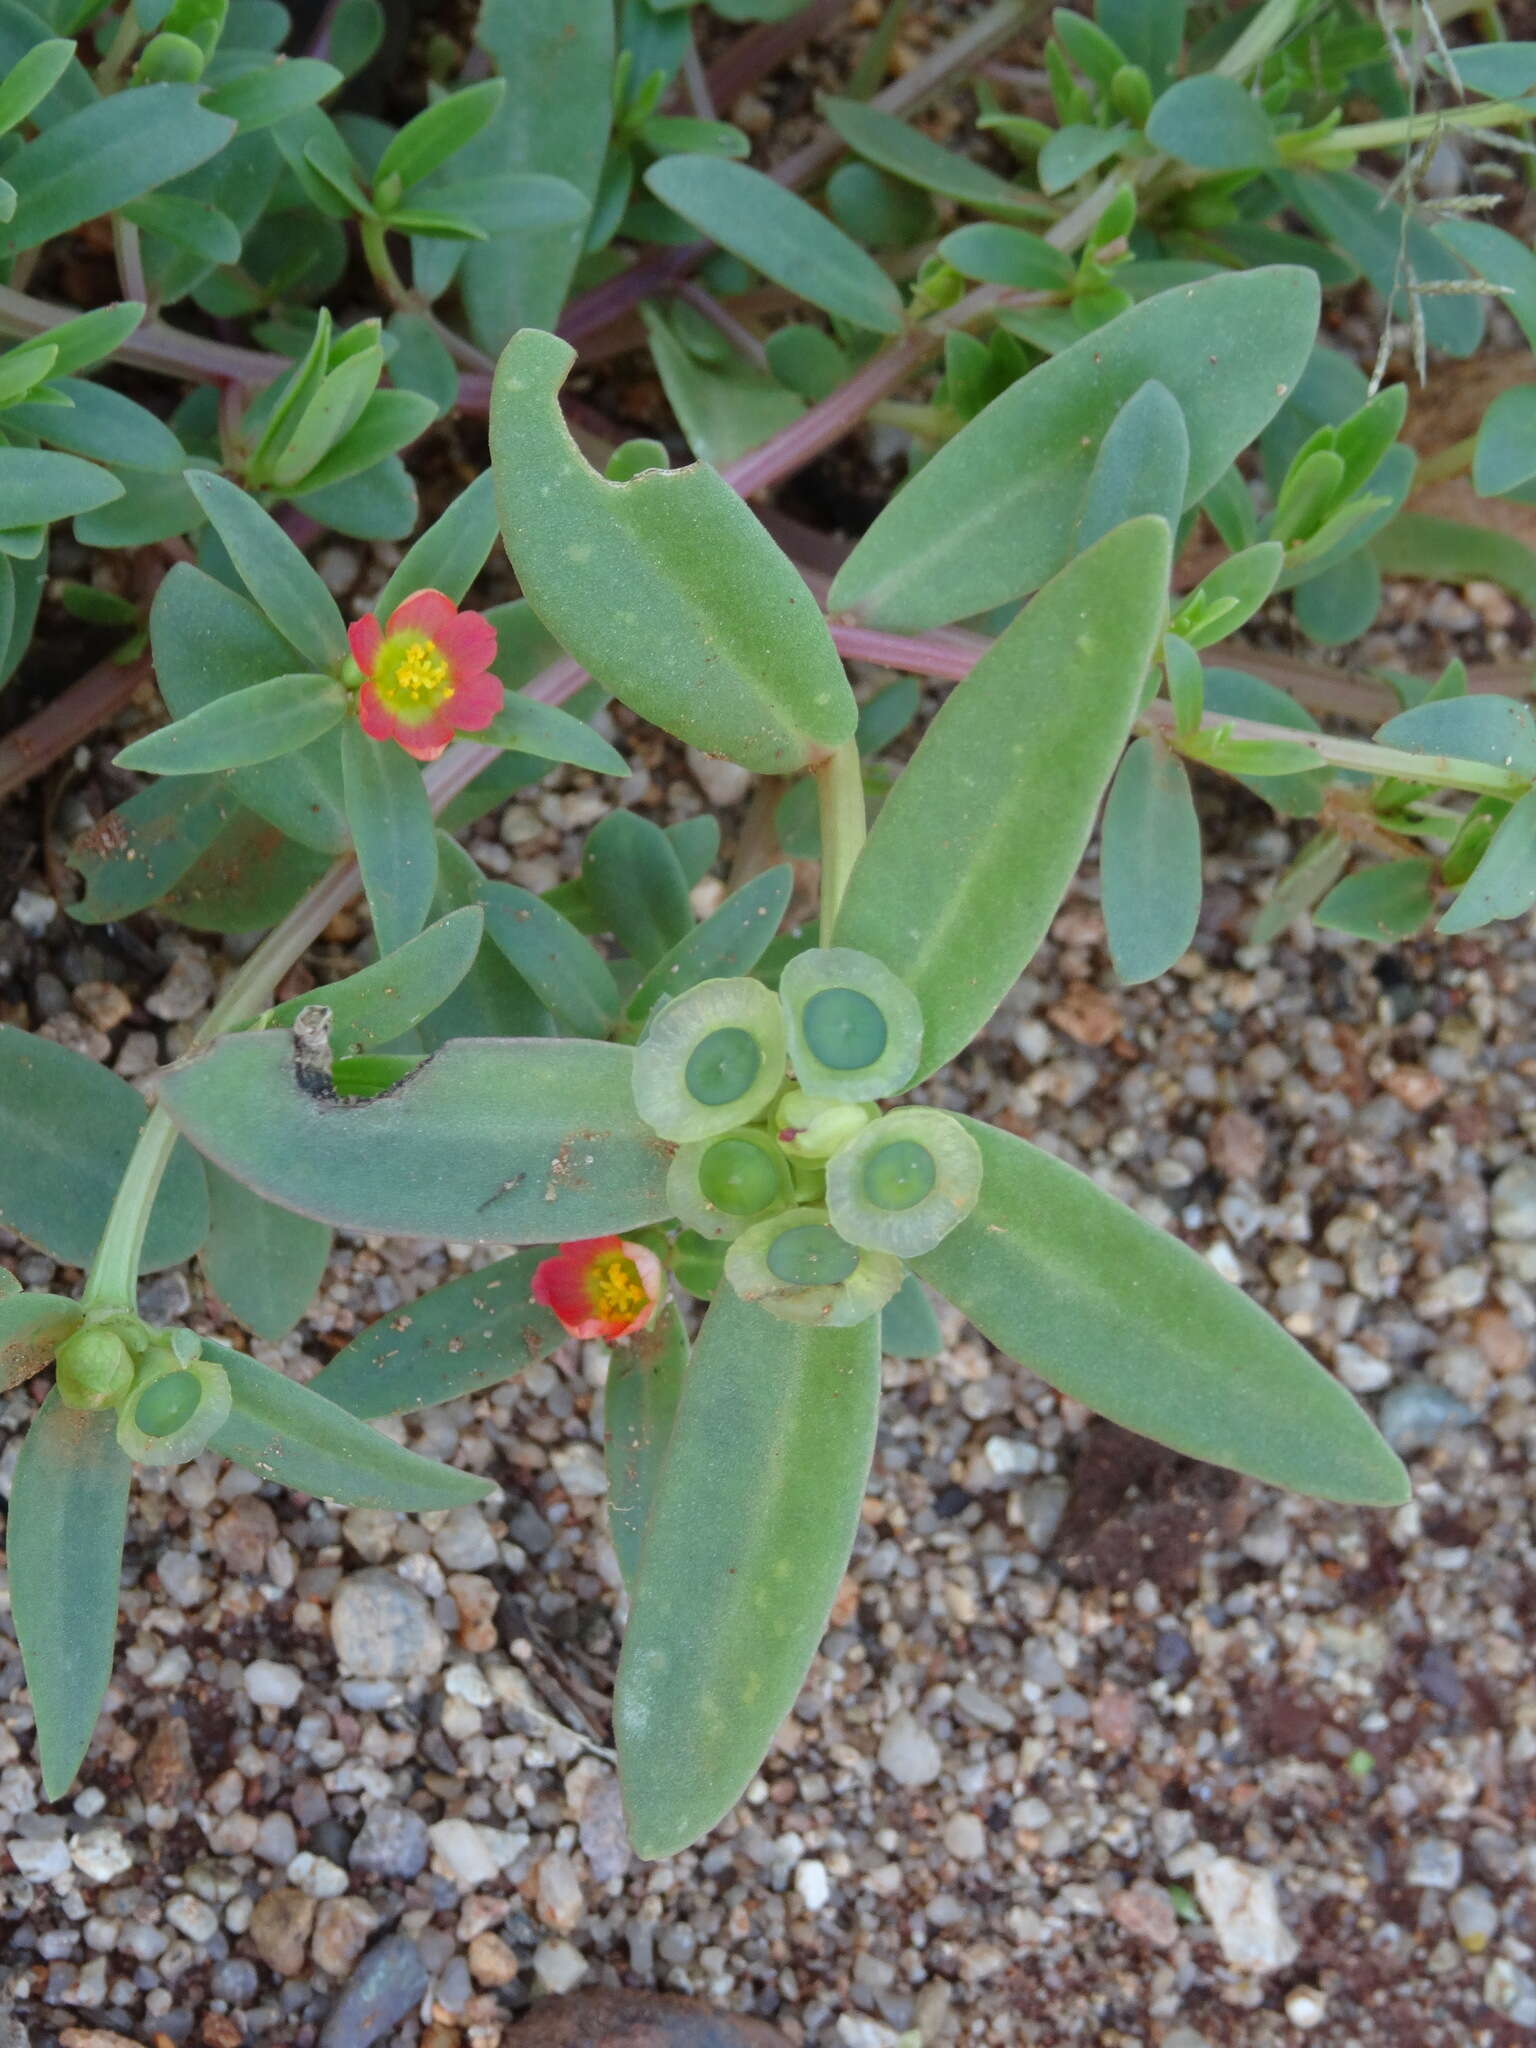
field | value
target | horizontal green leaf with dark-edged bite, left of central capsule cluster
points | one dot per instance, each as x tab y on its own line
488	1142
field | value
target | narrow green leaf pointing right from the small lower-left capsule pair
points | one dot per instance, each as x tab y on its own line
302	1441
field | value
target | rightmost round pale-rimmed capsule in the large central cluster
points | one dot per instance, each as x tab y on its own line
904	1183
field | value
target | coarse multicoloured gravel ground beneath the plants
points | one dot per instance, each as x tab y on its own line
1103	1746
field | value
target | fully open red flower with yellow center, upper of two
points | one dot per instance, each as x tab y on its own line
427	675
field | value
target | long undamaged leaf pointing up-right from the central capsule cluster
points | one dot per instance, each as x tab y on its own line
976	845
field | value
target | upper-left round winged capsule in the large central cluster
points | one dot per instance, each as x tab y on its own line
710	1060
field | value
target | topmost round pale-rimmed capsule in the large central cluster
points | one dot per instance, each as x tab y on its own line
855	1031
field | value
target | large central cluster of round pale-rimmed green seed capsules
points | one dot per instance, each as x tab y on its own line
818	1193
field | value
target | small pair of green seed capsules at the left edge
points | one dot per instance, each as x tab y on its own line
169	1400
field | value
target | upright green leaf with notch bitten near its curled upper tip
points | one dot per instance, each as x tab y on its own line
667	589
